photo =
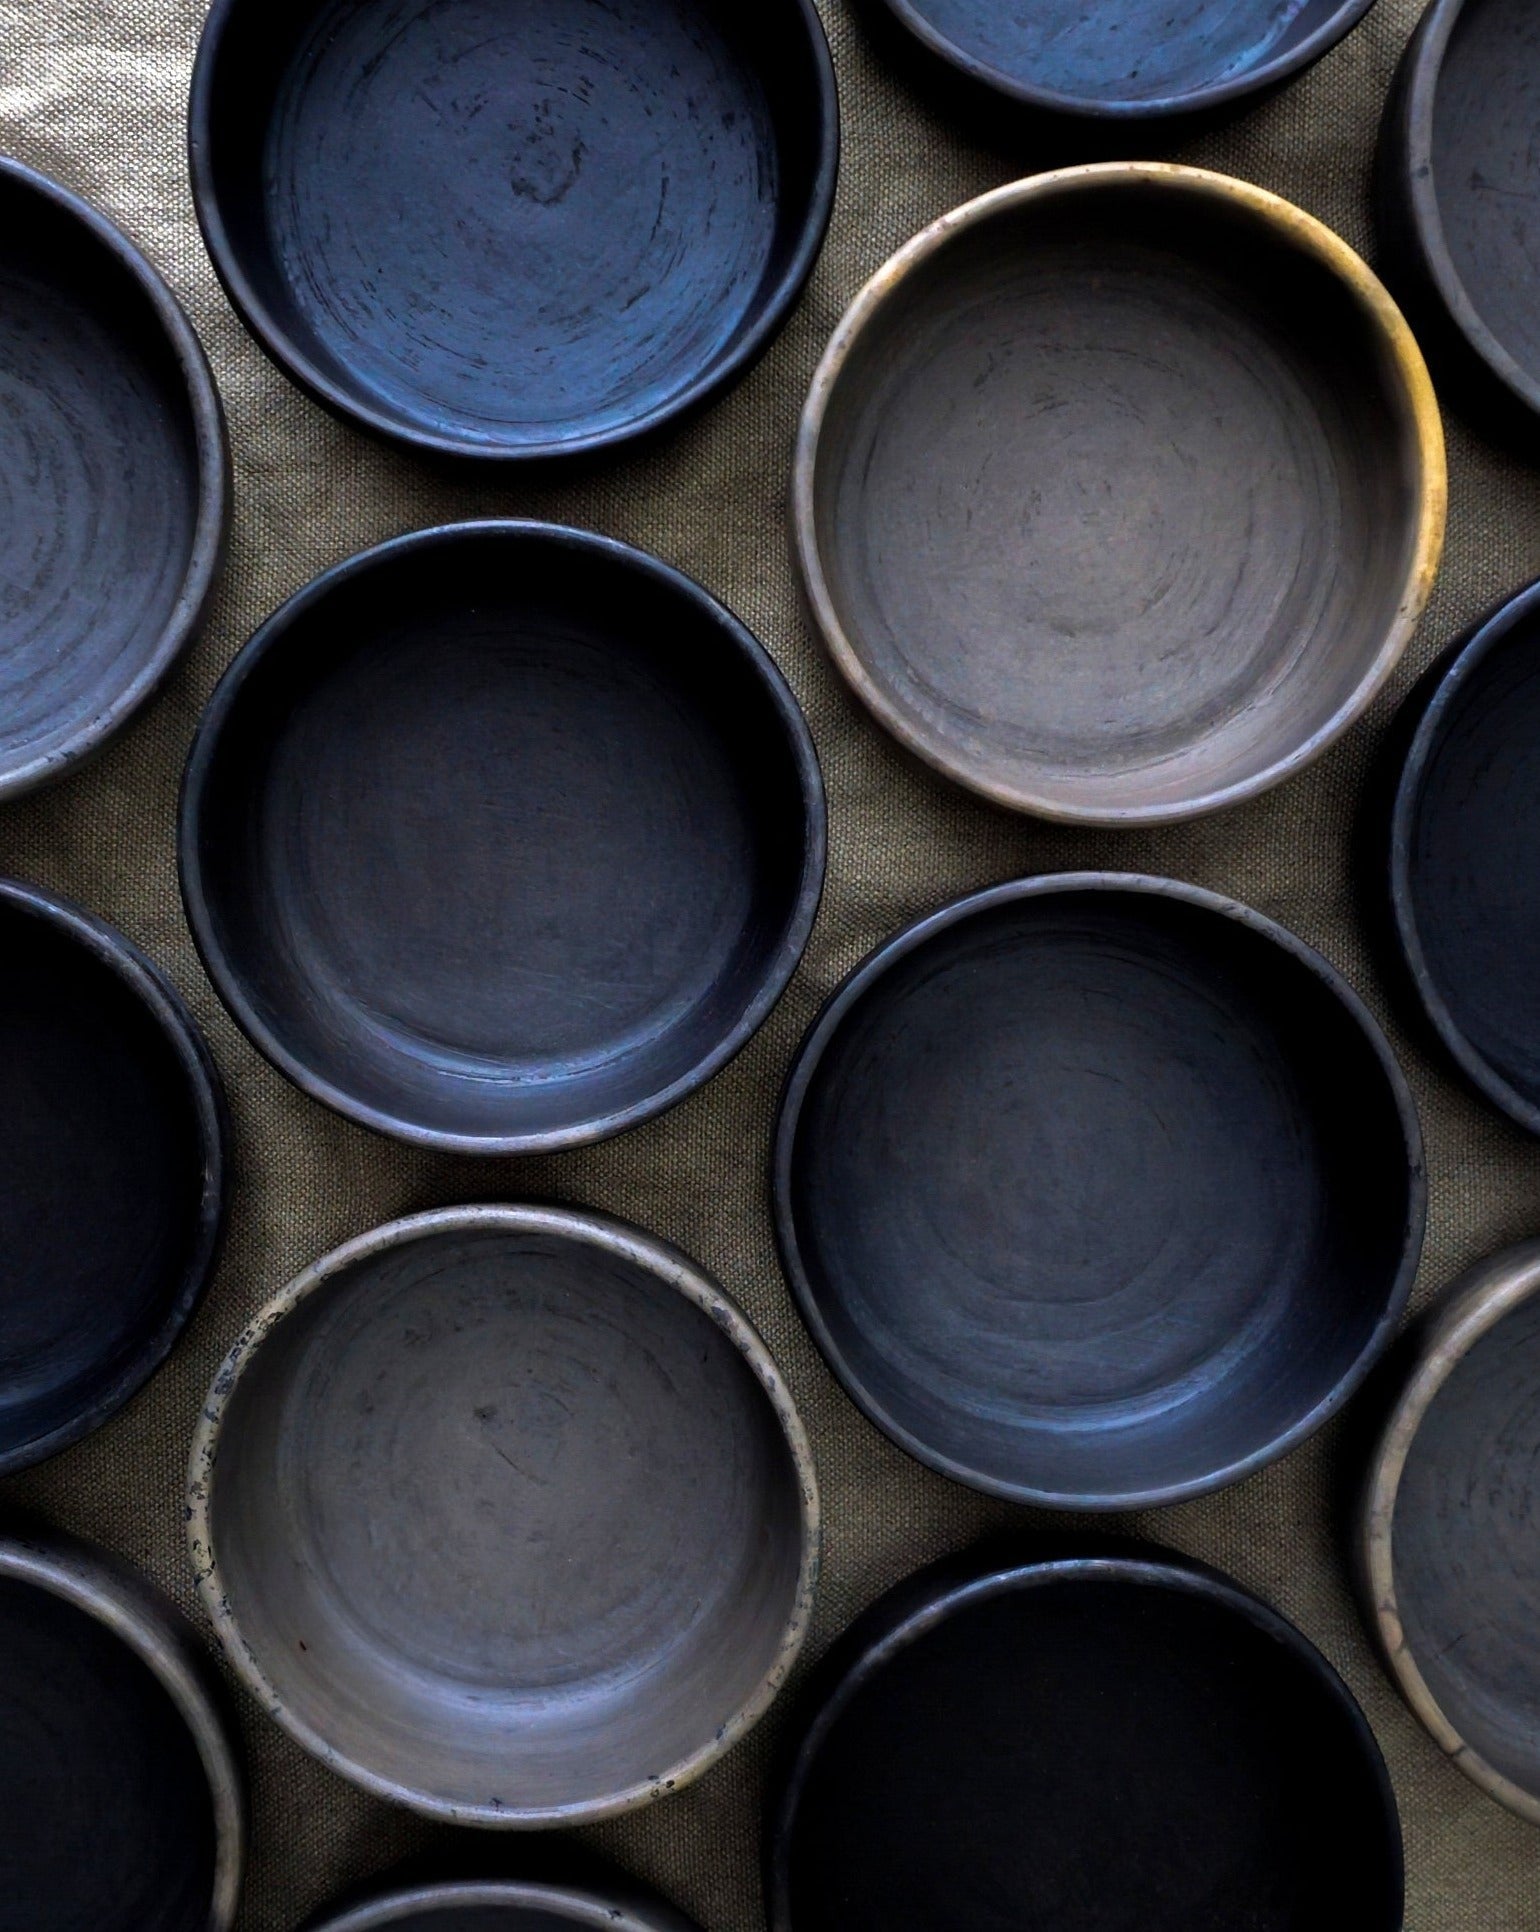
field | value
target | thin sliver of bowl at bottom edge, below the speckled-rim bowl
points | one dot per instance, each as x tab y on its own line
507	1906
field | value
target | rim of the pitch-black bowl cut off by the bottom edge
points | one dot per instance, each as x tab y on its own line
934	1595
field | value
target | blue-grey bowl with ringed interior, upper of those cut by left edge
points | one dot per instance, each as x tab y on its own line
113	480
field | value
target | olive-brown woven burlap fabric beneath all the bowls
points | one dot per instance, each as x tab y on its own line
94	94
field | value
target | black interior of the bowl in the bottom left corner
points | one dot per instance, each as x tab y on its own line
105	1809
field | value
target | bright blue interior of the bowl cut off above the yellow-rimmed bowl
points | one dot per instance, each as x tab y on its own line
1126	53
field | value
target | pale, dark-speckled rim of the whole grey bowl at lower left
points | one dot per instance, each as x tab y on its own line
583	1228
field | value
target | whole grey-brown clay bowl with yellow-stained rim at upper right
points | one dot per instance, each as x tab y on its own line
1106	582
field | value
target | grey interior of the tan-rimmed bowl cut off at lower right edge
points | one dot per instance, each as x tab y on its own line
1464	1548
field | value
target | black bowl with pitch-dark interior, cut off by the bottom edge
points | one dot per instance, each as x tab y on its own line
1097	1744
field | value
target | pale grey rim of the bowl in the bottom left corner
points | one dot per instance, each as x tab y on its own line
150	1626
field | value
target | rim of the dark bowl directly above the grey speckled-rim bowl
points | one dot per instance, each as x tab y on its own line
229	977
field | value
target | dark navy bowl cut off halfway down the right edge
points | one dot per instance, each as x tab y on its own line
1466	897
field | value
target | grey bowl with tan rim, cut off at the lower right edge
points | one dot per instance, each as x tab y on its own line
1446	1537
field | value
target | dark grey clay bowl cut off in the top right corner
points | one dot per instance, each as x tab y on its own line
1456	173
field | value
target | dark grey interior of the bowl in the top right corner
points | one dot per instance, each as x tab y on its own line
1485	138
